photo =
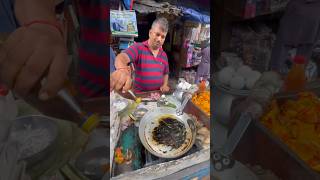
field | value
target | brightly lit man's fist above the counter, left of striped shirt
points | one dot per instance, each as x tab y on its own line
120	80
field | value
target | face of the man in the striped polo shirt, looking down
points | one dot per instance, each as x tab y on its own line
157	36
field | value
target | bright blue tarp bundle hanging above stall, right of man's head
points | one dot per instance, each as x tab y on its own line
193	15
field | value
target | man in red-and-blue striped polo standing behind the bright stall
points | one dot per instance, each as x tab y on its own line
149	60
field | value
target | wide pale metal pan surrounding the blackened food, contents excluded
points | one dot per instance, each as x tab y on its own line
151	120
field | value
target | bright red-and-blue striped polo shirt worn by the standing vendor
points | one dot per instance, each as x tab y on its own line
149	70
